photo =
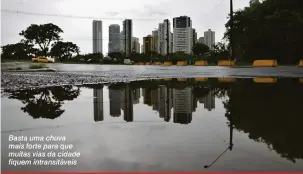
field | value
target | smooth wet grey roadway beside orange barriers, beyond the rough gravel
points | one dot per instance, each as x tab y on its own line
176	71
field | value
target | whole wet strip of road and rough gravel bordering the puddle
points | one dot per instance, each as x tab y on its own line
77	74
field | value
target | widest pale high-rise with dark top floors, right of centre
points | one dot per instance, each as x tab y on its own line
182	29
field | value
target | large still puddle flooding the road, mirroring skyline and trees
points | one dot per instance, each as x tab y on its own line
182	124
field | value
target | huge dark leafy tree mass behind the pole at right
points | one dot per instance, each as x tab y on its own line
269	30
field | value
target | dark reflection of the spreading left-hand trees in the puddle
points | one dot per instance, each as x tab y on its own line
45	102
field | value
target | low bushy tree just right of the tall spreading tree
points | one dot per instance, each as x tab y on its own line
64	50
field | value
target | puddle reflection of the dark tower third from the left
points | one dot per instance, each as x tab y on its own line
128	104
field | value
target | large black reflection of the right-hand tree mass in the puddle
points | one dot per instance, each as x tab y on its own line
270	113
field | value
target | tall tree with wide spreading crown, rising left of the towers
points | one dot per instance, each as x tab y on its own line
42	35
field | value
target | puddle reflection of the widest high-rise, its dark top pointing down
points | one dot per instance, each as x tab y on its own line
183	105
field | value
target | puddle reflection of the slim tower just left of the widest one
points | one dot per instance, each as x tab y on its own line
165	103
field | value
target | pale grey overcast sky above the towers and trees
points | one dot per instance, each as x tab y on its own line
146	15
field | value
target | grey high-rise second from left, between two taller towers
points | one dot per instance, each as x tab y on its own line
114	38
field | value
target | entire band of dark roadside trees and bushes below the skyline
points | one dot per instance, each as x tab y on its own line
271	29
